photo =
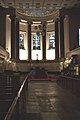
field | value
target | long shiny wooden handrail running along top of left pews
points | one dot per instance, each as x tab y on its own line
12	107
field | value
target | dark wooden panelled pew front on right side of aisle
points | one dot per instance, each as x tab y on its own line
70	83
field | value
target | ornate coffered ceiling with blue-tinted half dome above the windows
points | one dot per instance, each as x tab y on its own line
39	8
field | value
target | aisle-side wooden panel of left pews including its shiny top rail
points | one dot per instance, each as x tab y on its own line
18	102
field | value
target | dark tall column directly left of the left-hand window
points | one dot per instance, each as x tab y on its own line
17	39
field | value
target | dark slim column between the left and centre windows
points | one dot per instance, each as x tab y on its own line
29	40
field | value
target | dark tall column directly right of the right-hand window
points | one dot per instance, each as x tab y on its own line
56	40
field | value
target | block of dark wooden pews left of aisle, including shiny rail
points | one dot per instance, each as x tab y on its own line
12	89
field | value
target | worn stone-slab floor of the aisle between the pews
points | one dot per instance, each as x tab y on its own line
48	101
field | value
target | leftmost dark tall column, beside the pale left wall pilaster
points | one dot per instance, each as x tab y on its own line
13	37
